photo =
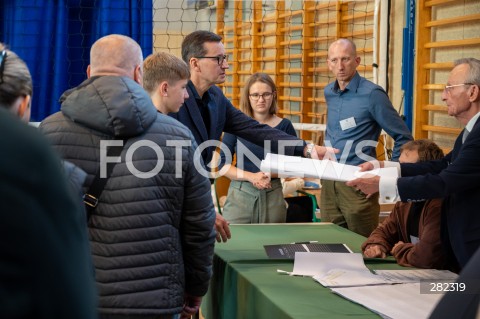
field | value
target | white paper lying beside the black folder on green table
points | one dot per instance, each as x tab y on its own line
335	269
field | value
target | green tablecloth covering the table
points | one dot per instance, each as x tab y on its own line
245	282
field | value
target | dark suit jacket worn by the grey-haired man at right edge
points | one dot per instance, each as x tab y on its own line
457	179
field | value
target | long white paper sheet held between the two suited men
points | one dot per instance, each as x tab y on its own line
294	166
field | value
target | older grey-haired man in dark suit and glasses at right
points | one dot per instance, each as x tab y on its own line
456	178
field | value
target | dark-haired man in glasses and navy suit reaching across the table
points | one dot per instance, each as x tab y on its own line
208	113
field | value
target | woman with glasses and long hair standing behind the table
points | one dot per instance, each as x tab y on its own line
253	197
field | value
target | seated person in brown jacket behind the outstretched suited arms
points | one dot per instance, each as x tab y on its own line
412	231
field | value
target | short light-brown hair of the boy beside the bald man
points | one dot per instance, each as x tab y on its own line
163	66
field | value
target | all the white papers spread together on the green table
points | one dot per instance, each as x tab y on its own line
391	293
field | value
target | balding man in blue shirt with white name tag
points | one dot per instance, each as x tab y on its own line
357	111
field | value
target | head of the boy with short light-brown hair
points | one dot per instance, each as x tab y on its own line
165	78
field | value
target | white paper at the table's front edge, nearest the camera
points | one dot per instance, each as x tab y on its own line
402	301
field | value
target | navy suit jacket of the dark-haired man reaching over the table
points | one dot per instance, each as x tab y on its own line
224	117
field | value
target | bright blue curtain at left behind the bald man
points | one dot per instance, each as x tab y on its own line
54	39
